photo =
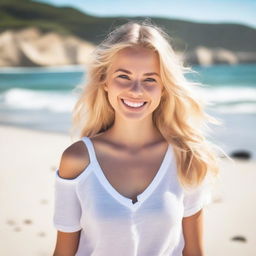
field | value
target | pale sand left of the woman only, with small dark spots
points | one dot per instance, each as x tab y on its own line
28	161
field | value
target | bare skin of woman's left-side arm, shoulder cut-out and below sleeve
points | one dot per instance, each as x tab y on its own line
73	161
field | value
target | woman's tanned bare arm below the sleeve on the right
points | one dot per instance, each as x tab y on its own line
193	234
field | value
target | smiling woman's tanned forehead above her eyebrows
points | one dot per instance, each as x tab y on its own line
137	58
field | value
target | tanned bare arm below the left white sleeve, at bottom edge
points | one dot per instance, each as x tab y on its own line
67	243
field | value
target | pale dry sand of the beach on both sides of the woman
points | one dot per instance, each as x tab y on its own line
29	159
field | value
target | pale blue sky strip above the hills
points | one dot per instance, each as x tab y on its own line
214	11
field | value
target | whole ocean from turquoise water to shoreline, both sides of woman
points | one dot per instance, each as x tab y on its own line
42	98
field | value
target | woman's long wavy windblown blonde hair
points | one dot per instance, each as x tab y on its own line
180	117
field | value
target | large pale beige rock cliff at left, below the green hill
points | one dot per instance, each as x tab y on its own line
29	47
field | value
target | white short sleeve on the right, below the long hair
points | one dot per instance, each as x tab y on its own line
195	199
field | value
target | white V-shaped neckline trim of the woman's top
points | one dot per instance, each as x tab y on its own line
115	194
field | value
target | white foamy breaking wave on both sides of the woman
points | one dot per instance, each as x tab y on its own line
221	99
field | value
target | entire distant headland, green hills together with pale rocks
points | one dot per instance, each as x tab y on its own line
38	34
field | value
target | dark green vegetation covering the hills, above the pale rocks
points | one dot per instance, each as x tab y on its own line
17	14
